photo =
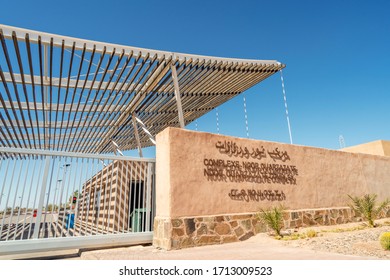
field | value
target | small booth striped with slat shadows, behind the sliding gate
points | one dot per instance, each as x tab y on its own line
123	191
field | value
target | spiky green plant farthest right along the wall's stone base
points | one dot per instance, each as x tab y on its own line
366	206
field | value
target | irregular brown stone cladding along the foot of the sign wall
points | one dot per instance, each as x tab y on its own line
187	232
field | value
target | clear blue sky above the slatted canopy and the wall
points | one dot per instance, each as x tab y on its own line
337	55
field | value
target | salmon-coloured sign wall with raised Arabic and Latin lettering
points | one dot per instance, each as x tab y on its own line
201	175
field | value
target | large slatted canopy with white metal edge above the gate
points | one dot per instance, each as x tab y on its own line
69	94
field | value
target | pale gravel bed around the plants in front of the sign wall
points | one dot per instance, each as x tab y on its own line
363	242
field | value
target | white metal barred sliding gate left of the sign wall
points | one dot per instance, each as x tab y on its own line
56	200
